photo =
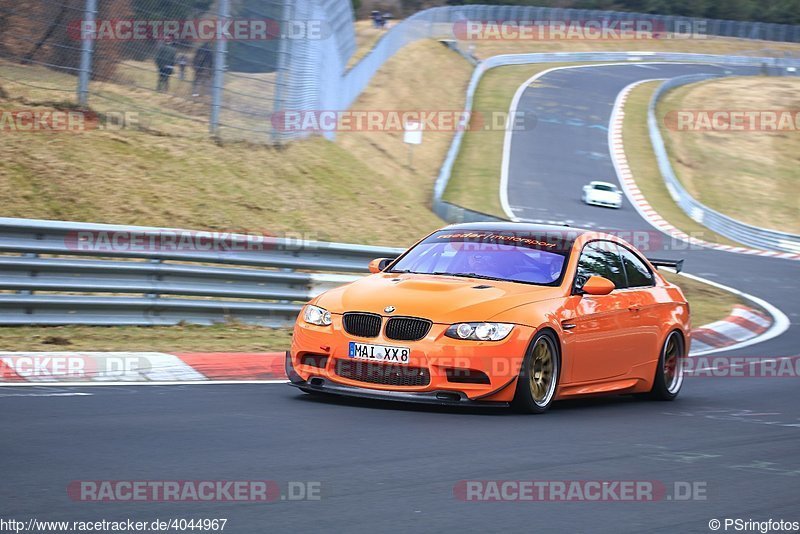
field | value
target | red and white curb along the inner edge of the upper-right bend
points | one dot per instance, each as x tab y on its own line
617	149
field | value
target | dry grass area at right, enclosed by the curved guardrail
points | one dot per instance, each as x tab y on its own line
751	176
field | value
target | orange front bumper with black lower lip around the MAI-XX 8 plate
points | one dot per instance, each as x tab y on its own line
439	357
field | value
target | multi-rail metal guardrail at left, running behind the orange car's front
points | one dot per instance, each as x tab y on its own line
56	272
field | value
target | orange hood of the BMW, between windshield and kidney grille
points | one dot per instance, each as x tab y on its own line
442	299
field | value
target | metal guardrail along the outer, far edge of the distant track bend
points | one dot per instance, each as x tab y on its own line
453	213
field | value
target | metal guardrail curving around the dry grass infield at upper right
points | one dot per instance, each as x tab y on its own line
722	224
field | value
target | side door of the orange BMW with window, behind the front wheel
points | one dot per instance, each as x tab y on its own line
597	335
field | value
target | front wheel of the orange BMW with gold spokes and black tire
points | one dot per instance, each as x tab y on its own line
538	375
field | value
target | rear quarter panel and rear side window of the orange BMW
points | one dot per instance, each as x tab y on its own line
645	320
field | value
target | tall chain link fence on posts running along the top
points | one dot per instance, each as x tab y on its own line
190	67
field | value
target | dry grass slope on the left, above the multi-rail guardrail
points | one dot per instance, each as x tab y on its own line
358	189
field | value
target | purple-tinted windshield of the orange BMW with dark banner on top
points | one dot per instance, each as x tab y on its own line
516	257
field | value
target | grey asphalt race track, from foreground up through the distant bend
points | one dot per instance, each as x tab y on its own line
385	467
